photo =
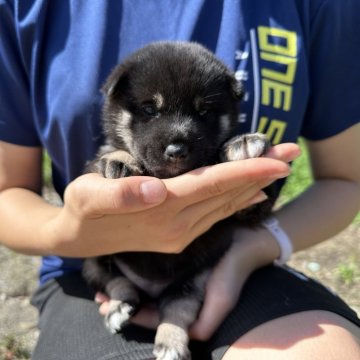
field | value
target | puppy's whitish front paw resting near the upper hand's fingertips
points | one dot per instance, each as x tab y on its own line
245	147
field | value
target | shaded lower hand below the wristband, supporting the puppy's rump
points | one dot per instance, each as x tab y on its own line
251	249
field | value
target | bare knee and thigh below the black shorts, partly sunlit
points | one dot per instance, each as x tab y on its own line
306	335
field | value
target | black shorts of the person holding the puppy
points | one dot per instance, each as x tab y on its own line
71	327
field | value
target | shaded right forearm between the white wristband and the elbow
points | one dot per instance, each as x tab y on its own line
321	212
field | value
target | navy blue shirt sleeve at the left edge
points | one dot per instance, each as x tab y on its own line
16	119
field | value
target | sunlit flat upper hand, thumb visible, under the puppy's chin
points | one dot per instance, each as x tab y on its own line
102	216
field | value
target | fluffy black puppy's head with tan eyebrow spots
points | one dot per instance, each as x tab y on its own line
171	105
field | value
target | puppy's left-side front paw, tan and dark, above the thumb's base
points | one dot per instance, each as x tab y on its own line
117	164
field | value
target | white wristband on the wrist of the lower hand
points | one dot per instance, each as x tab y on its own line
286	248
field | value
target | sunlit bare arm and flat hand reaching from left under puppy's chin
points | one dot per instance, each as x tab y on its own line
96	210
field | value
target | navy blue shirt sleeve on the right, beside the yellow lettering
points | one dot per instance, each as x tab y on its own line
334	70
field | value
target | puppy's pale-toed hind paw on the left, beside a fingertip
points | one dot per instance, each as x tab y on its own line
118	315
